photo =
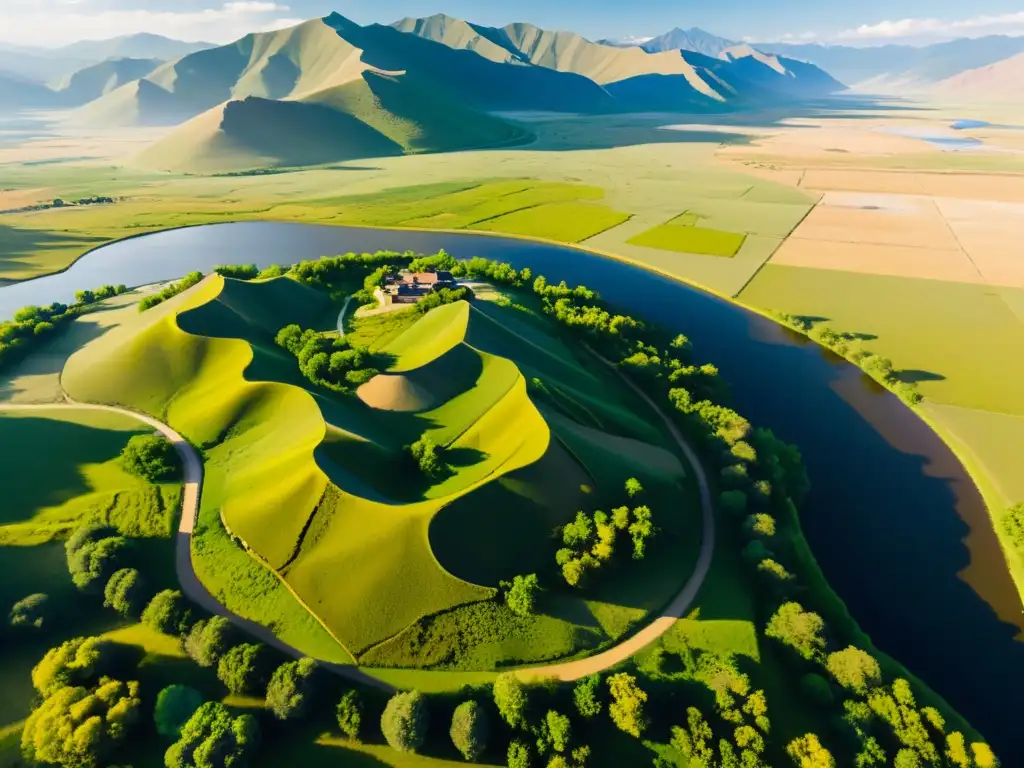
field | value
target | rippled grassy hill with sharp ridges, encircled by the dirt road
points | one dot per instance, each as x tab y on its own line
319	487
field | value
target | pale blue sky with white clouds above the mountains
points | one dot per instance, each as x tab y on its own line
860	23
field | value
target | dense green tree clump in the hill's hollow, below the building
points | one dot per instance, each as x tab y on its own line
328	363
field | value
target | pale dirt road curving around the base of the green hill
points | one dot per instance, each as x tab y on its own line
194	589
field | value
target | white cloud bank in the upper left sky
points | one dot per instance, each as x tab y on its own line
39	23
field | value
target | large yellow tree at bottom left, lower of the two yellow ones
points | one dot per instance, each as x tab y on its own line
76	728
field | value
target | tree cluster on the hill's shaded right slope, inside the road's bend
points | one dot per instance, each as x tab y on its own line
592	540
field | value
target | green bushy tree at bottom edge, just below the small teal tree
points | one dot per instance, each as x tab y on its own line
214	739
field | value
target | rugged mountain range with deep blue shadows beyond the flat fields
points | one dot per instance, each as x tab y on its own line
331	90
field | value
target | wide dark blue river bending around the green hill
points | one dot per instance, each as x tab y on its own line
899	527
